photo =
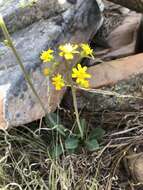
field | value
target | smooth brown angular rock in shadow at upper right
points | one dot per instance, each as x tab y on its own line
123	39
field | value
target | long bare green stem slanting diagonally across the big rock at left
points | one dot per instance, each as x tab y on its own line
10	43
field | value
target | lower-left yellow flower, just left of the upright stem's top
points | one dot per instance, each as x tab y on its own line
58	82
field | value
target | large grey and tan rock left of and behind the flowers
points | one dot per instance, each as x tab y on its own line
69	21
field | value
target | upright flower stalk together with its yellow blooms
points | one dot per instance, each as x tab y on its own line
78	73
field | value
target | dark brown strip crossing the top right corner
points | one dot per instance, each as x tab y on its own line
136	5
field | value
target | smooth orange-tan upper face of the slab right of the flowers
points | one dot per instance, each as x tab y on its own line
111	72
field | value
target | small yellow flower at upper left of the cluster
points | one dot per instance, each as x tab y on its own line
47	56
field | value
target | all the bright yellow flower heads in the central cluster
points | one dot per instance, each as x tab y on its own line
68	51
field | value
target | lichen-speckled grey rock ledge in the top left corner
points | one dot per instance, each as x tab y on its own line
19	15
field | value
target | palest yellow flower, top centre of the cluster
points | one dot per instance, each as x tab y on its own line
68	51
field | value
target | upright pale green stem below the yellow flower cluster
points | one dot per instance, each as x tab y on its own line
76	110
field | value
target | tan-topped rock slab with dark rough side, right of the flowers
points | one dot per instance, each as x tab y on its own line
109	82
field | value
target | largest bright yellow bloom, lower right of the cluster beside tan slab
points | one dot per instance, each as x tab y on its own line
81	75
